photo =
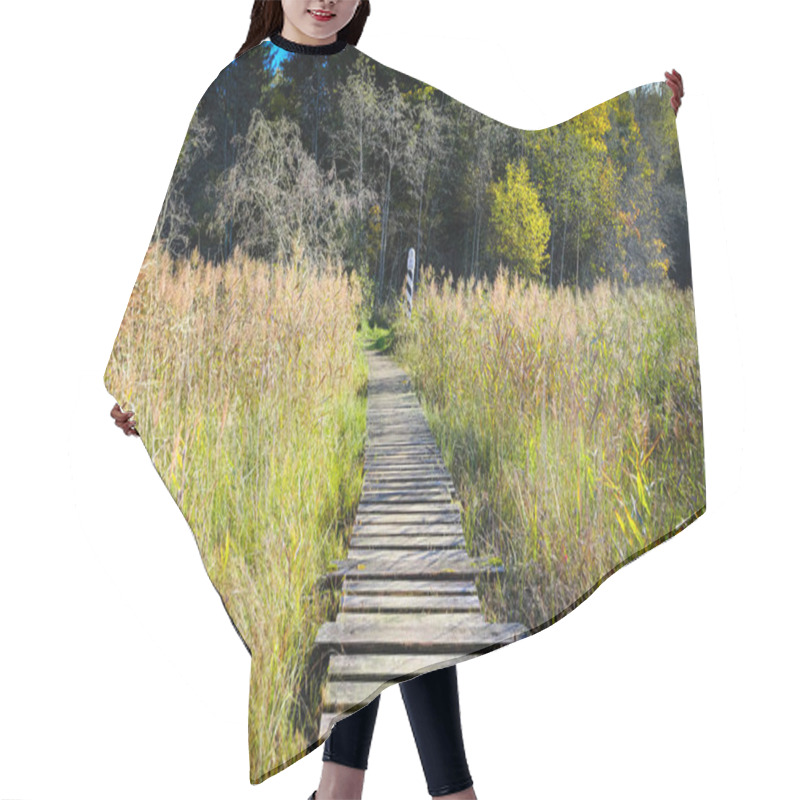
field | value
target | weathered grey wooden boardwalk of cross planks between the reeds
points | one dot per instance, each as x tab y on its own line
409	600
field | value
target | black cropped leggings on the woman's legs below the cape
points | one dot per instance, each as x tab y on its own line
432	706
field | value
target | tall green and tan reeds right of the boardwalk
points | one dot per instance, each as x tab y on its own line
570	421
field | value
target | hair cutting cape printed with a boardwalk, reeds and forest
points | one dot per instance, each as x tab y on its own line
419	381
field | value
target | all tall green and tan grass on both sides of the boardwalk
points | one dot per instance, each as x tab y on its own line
570	422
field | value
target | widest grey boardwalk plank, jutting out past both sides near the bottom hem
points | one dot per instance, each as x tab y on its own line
414	633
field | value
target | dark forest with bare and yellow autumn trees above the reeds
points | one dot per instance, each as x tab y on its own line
342	159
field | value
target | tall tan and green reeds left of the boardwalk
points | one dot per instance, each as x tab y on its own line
249	390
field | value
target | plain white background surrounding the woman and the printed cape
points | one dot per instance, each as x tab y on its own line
120	673
